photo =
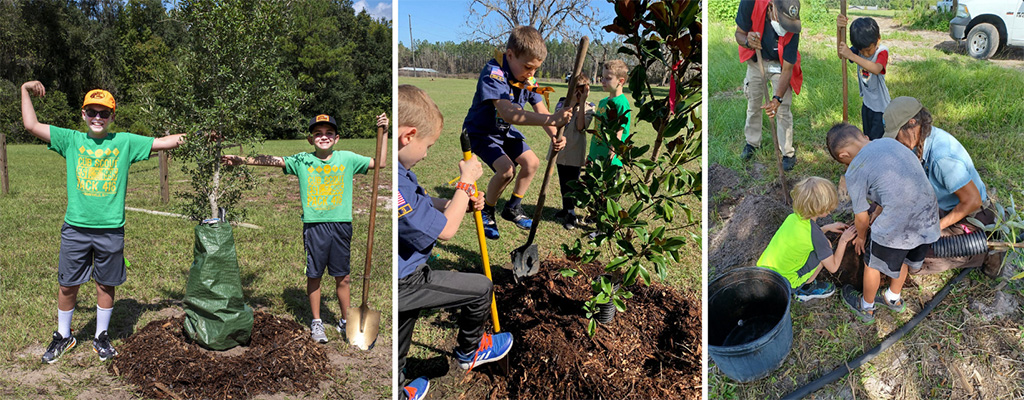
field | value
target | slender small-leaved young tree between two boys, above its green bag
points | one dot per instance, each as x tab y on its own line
226	90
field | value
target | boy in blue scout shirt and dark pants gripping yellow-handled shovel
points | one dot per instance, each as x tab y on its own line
423	220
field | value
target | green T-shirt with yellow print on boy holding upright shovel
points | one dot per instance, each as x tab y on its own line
326	187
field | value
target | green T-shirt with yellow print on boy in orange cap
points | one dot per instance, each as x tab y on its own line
98	174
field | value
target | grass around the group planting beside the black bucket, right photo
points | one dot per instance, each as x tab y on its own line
967	98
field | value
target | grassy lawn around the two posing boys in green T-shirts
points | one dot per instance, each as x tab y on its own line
160	250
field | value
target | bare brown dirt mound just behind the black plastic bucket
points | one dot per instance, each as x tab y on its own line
747	234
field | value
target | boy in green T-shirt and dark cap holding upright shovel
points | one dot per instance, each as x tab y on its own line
326	193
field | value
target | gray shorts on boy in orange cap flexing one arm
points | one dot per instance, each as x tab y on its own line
90	253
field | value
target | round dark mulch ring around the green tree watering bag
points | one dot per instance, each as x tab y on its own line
161	361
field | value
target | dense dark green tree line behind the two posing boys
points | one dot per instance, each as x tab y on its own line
326	58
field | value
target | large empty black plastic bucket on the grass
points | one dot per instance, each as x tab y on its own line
750	332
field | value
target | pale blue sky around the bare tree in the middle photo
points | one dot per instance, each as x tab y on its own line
440	21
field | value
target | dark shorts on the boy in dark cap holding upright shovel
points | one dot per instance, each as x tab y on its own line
327	248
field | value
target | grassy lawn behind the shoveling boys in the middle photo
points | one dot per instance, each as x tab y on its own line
462	253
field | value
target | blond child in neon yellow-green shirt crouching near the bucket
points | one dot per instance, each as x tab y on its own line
799	249
